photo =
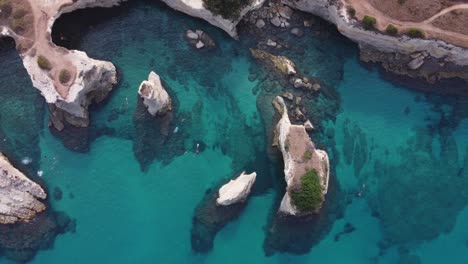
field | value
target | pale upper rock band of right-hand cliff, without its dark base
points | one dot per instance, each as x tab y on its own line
385	43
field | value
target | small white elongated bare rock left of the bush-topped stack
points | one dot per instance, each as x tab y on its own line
236	190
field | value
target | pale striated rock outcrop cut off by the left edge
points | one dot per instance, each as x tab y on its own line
19	196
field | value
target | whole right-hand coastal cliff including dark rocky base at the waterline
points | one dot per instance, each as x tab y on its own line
448	60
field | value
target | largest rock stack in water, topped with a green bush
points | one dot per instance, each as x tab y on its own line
306	169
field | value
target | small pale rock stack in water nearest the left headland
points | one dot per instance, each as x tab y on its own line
154	96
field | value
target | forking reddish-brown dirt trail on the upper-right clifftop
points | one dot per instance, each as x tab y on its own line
364	7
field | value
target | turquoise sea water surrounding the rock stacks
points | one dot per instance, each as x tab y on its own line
399	156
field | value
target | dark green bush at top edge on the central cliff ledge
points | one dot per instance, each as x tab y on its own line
228	9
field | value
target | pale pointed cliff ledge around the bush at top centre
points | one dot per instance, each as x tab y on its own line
195	8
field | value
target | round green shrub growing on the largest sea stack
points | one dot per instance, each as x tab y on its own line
309	198
